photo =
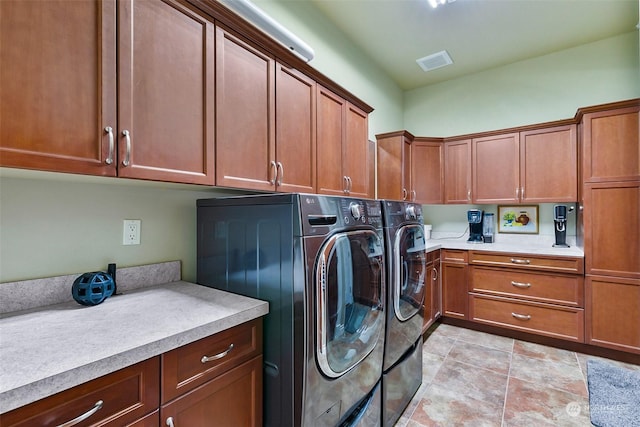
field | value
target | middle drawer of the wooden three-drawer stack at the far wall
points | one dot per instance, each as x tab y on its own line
555	289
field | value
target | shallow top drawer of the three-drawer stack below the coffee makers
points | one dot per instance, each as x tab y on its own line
526	261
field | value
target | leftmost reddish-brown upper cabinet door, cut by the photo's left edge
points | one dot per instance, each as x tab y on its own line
58	85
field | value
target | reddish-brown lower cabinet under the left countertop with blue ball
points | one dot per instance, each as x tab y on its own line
213	381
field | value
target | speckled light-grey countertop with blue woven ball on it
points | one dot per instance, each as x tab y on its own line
53	348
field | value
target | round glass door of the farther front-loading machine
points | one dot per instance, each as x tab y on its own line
409	271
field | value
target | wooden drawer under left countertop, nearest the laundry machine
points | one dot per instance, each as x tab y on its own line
193	364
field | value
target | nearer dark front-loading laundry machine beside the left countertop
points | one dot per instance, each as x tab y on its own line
319	262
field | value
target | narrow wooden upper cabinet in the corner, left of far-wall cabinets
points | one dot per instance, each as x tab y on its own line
394	165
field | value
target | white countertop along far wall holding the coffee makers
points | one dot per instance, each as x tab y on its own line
524	246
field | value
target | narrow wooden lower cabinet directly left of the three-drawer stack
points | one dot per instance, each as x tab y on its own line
454	283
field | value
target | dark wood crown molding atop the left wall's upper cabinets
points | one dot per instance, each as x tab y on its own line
222	15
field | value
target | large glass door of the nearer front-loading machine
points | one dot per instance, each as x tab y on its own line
349	282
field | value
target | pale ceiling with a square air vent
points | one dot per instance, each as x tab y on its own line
477	34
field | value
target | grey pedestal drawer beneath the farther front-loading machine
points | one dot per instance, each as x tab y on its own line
400	384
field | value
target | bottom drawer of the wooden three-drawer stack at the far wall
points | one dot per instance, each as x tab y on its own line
544	319
